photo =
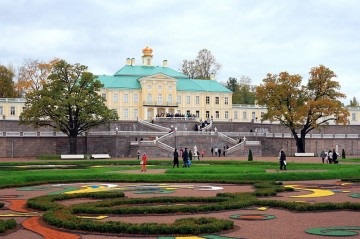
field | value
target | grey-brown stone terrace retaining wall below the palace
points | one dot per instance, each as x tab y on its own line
119	144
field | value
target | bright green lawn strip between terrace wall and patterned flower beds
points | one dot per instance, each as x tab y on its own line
231	171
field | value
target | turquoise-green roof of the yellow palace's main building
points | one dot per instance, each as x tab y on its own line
128	78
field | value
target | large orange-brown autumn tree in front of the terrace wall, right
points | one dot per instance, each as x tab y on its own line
302	108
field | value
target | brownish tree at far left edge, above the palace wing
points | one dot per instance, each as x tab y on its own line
7	86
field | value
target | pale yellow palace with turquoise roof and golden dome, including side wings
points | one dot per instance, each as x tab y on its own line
148	91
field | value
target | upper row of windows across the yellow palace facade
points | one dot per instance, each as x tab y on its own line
149	98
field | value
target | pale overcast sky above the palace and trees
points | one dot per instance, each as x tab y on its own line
247	37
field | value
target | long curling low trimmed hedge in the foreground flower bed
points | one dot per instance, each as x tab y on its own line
115	203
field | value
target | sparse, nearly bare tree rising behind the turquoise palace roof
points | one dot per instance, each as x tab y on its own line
202	67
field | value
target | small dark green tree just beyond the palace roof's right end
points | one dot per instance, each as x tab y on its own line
243	91
